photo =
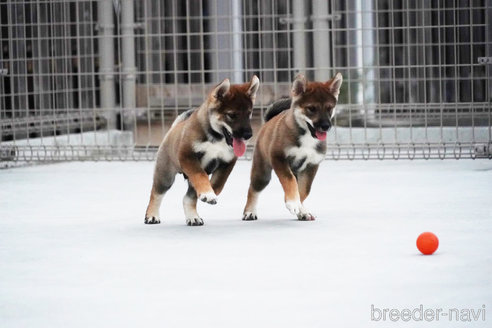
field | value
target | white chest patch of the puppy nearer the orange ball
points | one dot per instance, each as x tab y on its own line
308	152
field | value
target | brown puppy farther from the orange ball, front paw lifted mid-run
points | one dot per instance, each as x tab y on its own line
202	141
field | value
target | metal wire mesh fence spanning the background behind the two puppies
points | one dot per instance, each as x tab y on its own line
103	80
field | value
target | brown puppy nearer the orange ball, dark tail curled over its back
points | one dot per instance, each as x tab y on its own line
293	142
